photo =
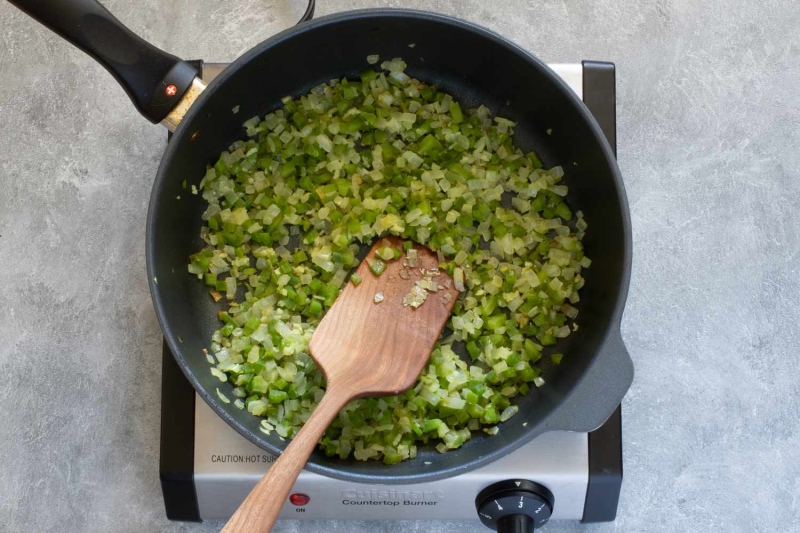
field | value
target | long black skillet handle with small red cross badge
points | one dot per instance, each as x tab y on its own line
154	79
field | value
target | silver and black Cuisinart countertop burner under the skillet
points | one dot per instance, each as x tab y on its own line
207	468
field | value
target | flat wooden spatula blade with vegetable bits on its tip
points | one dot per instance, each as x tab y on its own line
380	348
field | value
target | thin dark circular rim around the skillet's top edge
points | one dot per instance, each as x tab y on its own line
610	341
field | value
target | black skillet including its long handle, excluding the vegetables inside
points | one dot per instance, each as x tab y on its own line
476	66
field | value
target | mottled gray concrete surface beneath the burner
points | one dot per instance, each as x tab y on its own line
709	144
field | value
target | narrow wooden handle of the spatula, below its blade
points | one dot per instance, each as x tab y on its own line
260	509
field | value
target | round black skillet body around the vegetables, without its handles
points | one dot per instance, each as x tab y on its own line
476	67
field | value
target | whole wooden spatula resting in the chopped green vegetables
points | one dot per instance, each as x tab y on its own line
368	344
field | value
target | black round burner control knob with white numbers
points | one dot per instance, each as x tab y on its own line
515	506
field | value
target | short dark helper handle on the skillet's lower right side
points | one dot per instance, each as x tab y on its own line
600	390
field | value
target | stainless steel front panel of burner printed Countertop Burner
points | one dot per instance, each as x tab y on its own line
227	467
